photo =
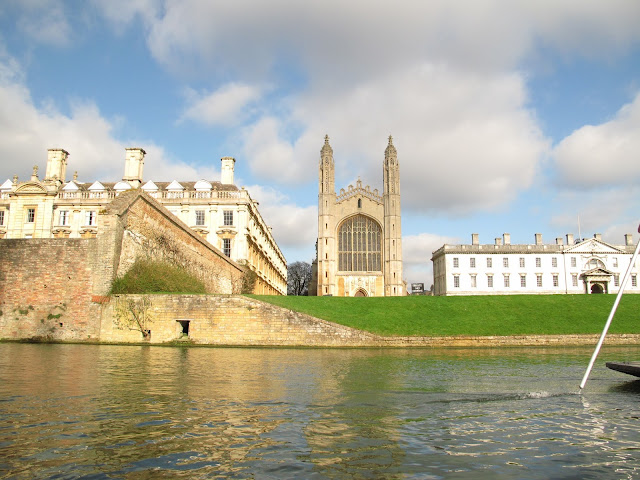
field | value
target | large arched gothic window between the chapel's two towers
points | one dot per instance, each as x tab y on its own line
359	245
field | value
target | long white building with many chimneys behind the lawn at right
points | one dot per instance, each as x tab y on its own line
582	266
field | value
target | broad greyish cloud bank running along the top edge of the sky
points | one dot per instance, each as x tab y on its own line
336	40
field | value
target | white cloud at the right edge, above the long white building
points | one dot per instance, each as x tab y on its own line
602	155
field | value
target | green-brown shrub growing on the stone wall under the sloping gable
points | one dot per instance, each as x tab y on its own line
147	276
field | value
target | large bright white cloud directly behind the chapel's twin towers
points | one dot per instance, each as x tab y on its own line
465	142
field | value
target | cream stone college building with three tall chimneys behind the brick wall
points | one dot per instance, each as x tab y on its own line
221	213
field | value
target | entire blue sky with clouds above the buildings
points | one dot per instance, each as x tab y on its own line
508	116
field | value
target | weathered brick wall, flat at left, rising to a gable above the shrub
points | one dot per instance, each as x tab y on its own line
55	288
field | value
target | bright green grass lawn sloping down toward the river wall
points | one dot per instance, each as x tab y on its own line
473	315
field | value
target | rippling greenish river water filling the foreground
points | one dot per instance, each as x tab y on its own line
138	412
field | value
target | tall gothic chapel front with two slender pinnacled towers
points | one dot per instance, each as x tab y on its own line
359	247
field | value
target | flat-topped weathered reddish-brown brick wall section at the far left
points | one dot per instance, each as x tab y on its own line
47	289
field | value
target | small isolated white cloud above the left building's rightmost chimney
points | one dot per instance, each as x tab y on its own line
227	106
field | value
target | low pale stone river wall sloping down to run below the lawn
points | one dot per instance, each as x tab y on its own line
242	321
